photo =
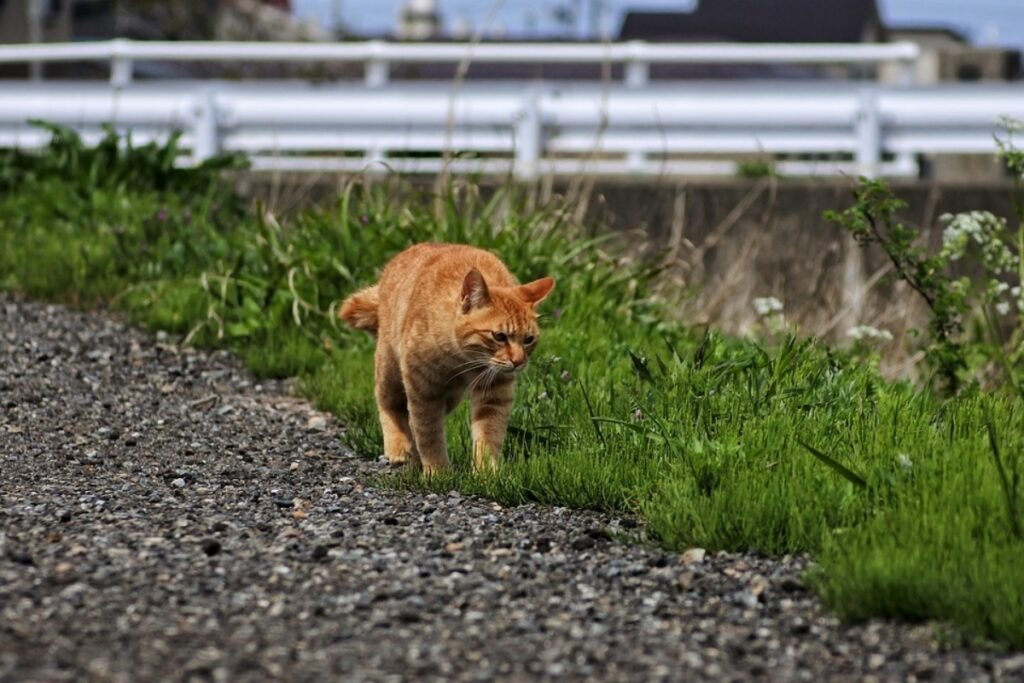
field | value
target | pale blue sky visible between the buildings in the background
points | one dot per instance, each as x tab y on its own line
985	22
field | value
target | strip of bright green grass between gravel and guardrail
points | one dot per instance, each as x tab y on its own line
909	509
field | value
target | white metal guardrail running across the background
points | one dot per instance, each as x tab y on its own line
632	127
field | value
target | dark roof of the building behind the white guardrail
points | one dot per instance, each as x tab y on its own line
758	22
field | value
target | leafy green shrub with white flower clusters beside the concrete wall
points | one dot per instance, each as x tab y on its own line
975	332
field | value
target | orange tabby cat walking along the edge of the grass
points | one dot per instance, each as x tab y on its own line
448	319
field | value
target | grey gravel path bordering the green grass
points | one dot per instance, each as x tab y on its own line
165	518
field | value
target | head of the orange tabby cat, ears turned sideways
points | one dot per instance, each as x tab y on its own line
497	326
